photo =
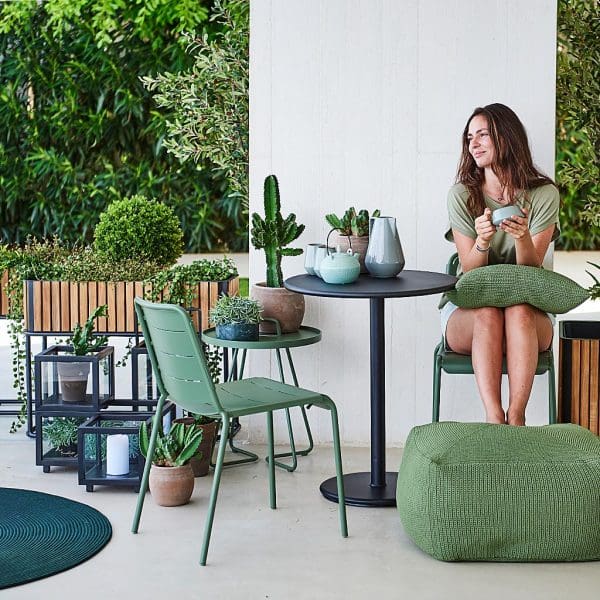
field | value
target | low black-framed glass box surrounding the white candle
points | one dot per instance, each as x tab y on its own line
92	447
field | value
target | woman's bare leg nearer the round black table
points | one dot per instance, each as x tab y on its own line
480	332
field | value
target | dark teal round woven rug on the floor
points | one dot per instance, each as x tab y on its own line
41	535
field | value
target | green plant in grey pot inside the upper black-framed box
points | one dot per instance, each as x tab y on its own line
74	374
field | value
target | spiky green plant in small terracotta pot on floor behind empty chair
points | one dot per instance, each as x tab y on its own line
171	476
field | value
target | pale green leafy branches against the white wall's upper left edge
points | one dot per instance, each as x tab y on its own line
207	105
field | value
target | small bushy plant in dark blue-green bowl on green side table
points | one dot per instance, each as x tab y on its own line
236	318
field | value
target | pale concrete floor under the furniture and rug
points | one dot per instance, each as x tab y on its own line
294	552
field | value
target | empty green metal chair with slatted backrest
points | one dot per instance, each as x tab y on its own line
182	376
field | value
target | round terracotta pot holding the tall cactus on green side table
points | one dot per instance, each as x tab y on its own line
281	304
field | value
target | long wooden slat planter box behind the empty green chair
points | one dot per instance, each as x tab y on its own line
57	306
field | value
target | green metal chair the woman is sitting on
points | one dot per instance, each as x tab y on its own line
461	364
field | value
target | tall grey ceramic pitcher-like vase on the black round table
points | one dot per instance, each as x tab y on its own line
384	255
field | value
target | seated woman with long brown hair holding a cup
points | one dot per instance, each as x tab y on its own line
496	169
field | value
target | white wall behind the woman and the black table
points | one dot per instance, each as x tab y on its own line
362	103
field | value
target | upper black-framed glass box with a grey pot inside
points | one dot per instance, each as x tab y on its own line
65	383
